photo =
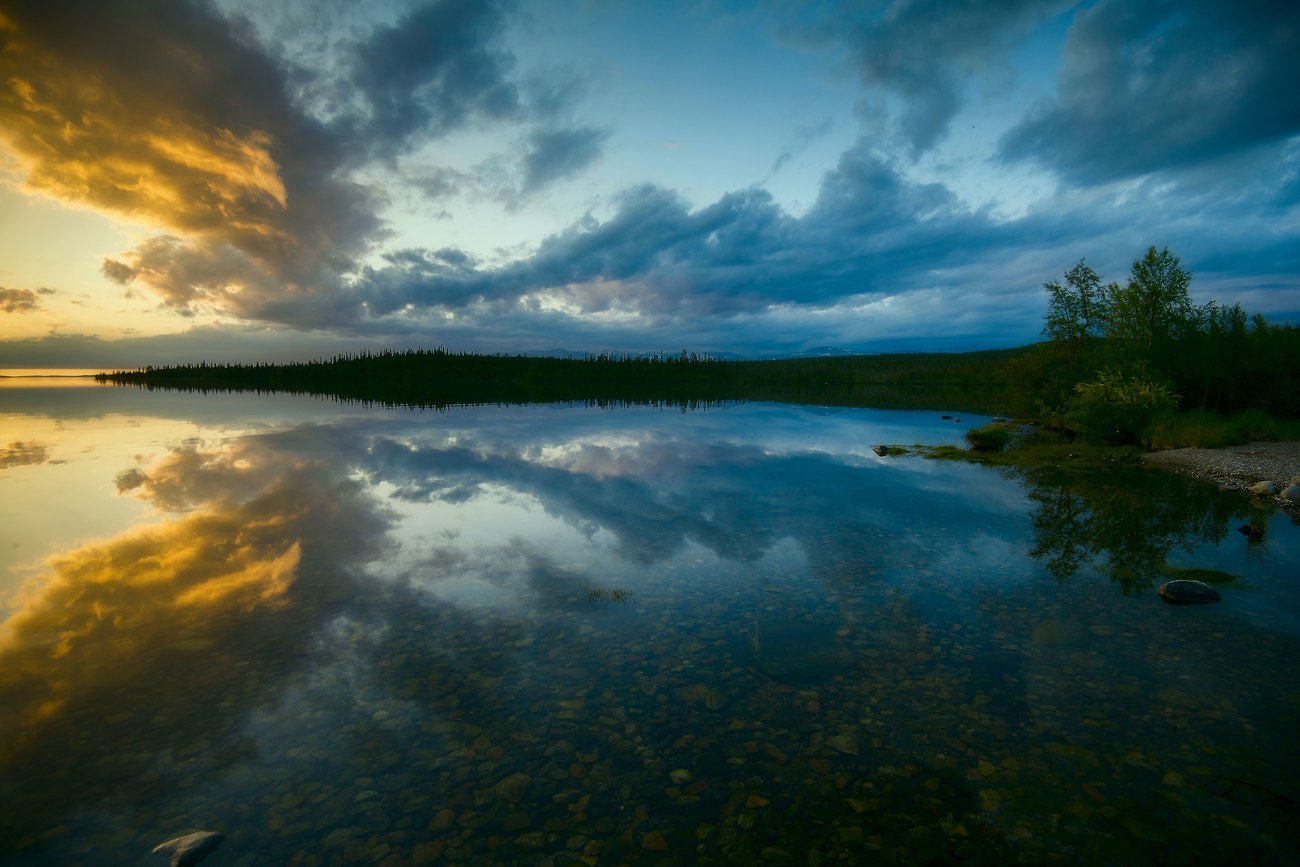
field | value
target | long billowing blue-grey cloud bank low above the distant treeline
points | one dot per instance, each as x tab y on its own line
870	232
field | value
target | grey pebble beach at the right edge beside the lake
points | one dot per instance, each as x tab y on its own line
1241	467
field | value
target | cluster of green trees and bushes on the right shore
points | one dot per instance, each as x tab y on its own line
1121	354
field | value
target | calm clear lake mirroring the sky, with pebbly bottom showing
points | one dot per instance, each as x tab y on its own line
570	635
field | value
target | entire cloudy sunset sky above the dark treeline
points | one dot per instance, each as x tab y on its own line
188	181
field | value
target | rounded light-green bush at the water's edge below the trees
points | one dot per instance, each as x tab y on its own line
1117	406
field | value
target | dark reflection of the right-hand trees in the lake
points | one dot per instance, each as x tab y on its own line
1133	517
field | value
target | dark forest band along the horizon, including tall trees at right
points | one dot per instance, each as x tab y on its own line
1120	361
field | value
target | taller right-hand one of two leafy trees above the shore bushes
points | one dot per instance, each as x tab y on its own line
1154	306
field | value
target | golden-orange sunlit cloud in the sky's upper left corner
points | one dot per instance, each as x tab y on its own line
170	115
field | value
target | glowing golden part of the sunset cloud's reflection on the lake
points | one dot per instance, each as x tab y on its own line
107	617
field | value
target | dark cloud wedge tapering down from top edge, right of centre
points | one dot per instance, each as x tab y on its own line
925	53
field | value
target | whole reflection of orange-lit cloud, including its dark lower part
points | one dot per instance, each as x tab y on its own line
132	649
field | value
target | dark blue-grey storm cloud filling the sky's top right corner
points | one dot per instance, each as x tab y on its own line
1159	85
